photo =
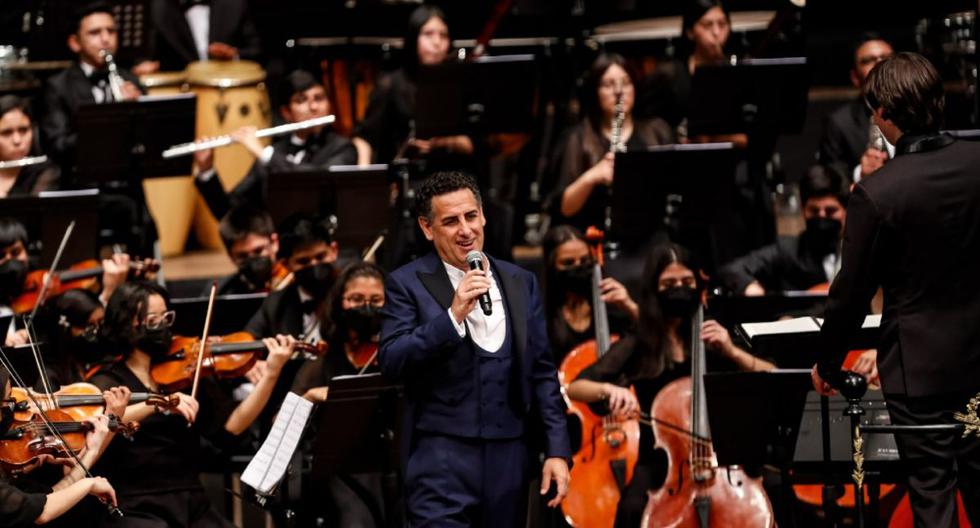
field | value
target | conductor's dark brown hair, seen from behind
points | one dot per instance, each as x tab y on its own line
909	90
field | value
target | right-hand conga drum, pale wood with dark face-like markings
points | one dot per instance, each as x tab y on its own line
230	95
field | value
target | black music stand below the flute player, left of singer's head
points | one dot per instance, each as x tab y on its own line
357	196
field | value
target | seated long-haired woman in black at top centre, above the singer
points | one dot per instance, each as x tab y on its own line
387	130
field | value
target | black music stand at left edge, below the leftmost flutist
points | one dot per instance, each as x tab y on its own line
46	217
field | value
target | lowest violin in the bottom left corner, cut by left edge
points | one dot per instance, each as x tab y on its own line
26	441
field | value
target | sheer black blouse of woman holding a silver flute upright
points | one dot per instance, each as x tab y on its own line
581	149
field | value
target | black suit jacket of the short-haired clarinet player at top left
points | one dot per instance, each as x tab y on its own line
63	94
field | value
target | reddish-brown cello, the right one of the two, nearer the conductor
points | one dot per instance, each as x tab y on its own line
697	492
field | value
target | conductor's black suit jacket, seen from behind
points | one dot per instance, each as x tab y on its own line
914	230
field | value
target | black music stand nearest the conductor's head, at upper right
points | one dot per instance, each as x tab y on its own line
755	95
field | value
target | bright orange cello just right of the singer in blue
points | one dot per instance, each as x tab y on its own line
610	445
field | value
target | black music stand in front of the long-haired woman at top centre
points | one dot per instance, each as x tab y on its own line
490	95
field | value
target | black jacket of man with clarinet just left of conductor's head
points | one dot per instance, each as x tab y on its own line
845	138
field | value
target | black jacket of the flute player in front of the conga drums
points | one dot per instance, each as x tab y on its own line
288	153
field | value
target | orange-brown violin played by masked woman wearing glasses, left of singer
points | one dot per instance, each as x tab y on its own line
225	357
